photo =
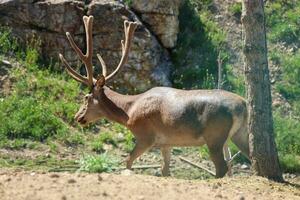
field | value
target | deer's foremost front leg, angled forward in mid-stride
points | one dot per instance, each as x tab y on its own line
138	150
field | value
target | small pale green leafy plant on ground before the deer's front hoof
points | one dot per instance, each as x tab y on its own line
97	164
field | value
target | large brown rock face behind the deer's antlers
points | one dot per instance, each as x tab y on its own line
148	65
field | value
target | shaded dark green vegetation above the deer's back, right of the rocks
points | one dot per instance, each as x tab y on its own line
199	42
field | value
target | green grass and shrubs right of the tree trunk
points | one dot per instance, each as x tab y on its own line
283	32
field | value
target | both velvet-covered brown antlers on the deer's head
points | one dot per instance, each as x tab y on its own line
129	28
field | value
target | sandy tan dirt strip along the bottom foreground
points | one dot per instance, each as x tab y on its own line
26	185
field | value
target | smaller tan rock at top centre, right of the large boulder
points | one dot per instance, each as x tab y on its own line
162	18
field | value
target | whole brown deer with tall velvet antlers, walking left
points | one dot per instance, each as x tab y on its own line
162	117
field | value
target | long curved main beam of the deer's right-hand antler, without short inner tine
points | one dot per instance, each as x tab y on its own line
129	28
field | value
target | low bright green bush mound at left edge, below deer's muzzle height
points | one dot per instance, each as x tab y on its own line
26	118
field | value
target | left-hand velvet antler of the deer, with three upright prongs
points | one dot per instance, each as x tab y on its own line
87	58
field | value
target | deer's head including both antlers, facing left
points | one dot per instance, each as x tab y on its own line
92	109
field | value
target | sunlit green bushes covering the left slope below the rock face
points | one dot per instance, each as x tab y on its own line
30	95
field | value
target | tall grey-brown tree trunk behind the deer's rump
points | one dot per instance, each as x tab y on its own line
263	152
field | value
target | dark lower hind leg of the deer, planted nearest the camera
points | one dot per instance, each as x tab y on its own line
217	157
